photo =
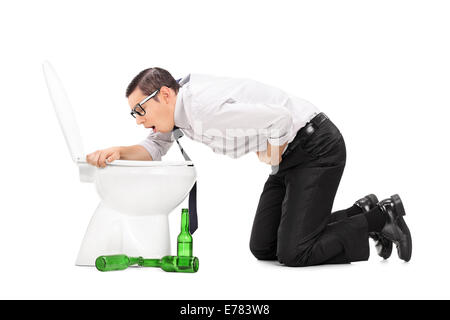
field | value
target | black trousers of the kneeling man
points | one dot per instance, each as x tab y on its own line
293	221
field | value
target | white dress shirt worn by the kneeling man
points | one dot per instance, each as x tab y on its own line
233	116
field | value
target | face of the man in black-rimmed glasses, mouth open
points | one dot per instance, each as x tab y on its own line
158	115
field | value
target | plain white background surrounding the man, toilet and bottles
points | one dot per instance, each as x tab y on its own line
379	69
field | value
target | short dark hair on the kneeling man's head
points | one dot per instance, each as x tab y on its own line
152	79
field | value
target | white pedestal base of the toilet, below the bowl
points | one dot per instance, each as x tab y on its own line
111	232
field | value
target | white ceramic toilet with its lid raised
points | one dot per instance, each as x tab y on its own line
136	196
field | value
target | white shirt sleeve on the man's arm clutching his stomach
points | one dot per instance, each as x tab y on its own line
235	119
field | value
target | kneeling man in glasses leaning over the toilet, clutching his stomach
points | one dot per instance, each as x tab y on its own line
293	222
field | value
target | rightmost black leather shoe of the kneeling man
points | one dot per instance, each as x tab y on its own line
395	228
